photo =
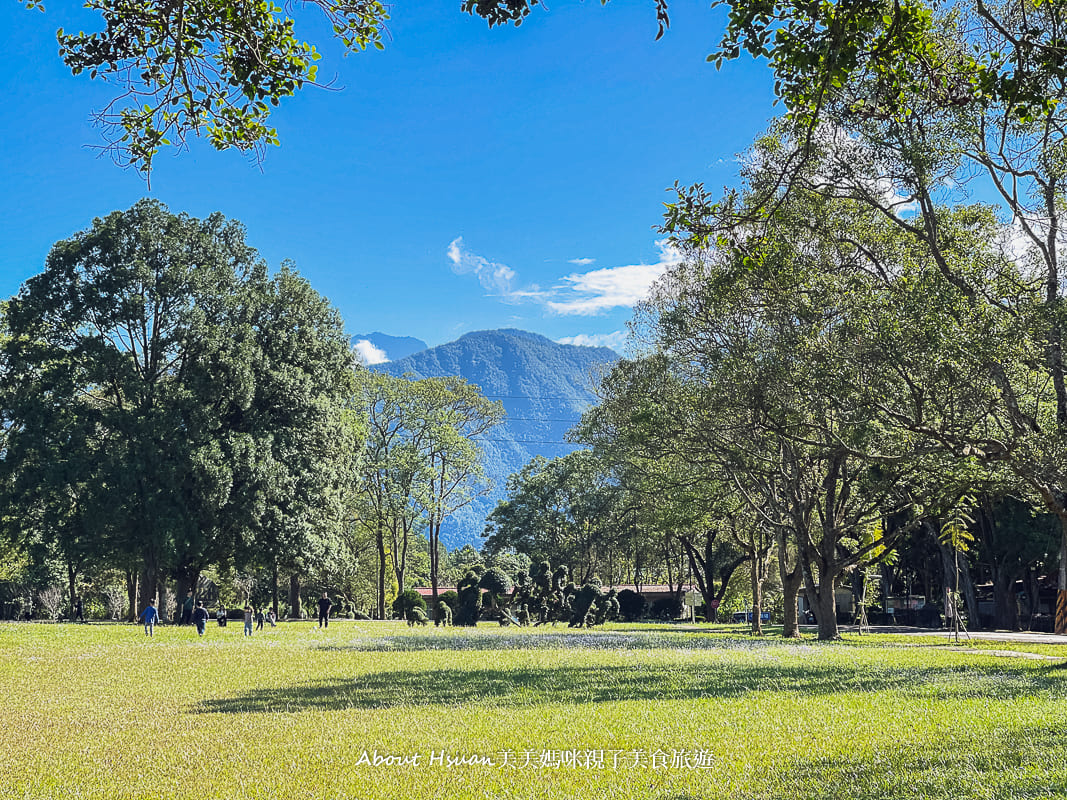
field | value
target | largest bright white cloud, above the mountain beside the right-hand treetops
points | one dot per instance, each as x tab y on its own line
588	294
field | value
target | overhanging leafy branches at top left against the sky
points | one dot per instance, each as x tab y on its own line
215	68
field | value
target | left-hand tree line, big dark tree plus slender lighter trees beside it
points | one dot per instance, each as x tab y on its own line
171	409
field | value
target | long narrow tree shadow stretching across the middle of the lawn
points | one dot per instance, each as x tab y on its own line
531	686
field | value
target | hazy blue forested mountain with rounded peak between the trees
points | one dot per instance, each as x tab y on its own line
545	389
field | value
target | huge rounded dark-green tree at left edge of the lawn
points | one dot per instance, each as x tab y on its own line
179	381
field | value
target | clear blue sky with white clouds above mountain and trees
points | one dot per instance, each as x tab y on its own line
461	180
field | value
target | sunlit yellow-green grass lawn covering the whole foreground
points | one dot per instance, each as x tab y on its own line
627	712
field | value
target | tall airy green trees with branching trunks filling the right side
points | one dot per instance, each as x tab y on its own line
857	361
